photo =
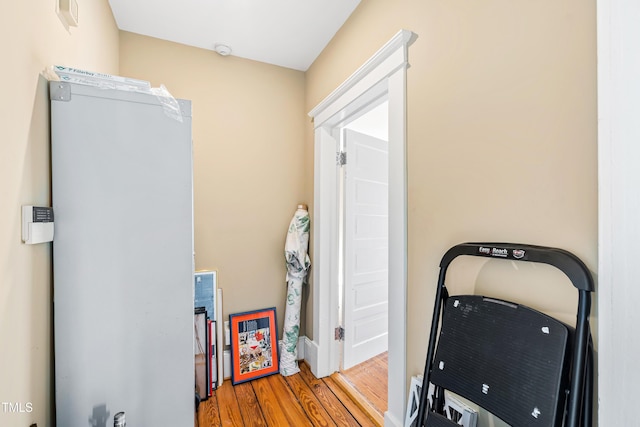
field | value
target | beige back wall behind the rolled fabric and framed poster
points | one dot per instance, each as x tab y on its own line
248	132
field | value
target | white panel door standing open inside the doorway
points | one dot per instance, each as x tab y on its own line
366	248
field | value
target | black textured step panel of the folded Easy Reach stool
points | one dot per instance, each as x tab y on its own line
511	360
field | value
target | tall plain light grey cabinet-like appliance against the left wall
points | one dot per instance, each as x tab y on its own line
123	258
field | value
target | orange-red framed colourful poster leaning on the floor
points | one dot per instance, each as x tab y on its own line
254	345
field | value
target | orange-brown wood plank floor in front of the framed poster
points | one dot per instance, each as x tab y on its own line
277	401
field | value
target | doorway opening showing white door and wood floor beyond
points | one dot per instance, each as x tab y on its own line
363	306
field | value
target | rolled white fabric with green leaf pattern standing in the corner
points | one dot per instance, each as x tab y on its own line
298	264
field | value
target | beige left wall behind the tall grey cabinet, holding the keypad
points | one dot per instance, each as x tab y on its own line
32	39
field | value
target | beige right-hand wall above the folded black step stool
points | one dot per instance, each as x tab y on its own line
501	131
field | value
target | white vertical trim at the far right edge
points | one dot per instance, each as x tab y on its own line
618	209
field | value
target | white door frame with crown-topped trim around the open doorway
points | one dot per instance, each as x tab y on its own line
384	74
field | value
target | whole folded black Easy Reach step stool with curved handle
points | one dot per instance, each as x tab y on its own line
523	366
